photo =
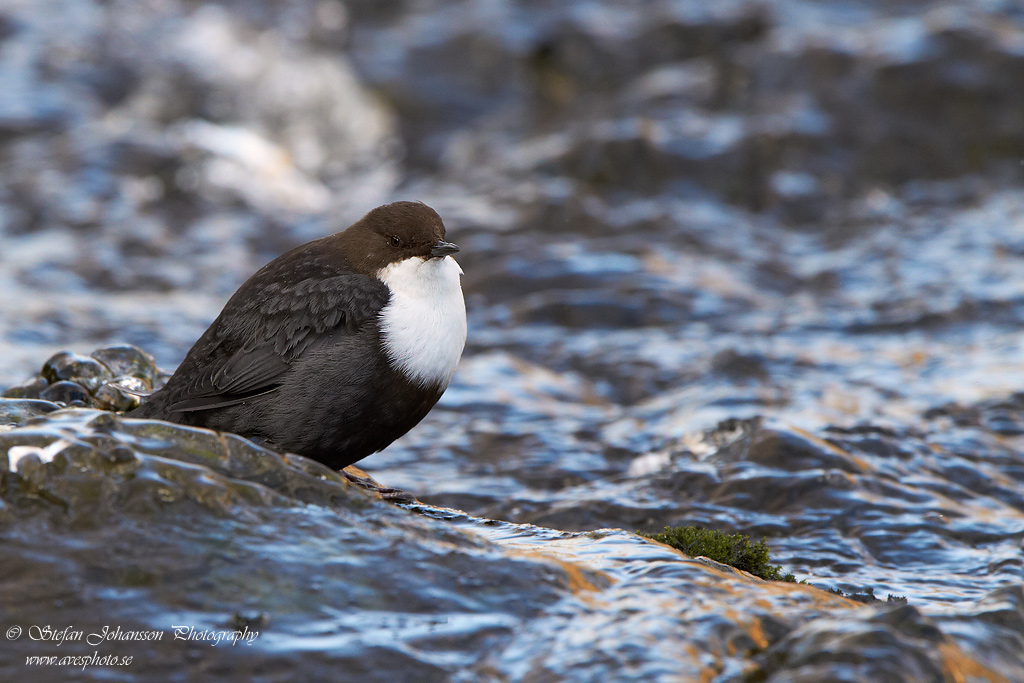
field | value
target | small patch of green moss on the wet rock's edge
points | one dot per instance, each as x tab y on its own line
733	549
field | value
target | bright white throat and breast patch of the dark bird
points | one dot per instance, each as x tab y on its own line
424	323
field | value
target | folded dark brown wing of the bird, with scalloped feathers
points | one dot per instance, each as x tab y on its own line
262	332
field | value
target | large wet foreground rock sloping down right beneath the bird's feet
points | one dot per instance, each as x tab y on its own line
107	505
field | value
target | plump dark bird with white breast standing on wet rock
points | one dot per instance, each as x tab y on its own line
334	350
